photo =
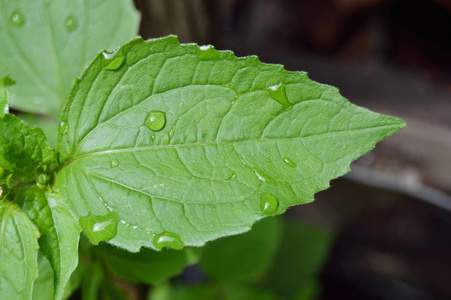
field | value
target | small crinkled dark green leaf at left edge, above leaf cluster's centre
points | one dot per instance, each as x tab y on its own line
24	151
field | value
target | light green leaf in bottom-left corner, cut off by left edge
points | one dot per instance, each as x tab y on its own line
18	252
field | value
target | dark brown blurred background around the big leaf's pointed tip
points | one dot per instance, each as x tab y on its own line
390	218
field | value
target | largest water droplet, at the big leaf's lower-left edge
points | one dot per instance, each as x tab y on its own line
99	228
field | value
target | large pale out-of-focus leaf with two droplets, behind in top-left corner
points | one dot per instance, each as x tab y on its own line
46	44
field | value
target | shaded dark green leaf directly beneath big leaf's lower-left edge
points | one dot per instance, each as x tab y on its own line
147	266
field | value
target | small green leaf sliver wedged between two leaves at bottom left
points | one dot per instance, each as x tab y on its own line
43	286
